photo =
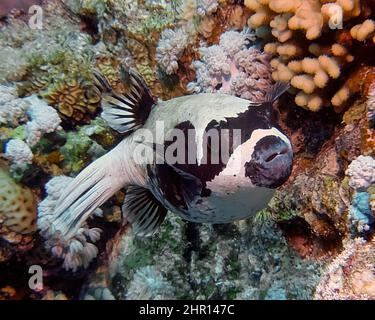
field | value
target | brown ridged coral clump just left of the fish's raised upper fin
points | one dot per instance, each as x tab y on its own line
75	101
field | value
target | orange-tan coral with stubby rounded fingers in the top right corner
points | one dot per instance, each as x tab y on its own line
312	65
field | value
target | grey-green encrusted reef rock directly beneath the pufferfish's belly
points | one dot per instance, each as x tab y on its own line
245	260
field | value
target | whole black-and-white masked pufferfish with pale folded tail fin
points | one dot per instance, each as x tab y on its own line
199	191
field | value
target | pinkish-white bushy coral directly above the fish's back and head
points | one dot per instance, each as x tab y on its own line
231	67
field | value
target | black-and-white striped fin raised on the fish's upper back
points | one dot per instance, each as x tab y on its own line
125	113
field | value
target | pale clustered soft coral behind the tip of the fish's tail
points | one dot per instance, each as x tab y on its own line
79	251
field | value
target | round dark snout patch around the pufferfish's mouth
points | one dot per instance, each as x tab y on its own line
270	164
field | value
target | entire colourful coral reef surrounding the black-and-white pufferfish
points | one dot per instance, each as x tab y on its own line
315	238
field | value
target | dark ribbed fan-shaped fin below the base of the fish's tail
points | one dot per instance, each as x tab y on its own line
143	211
